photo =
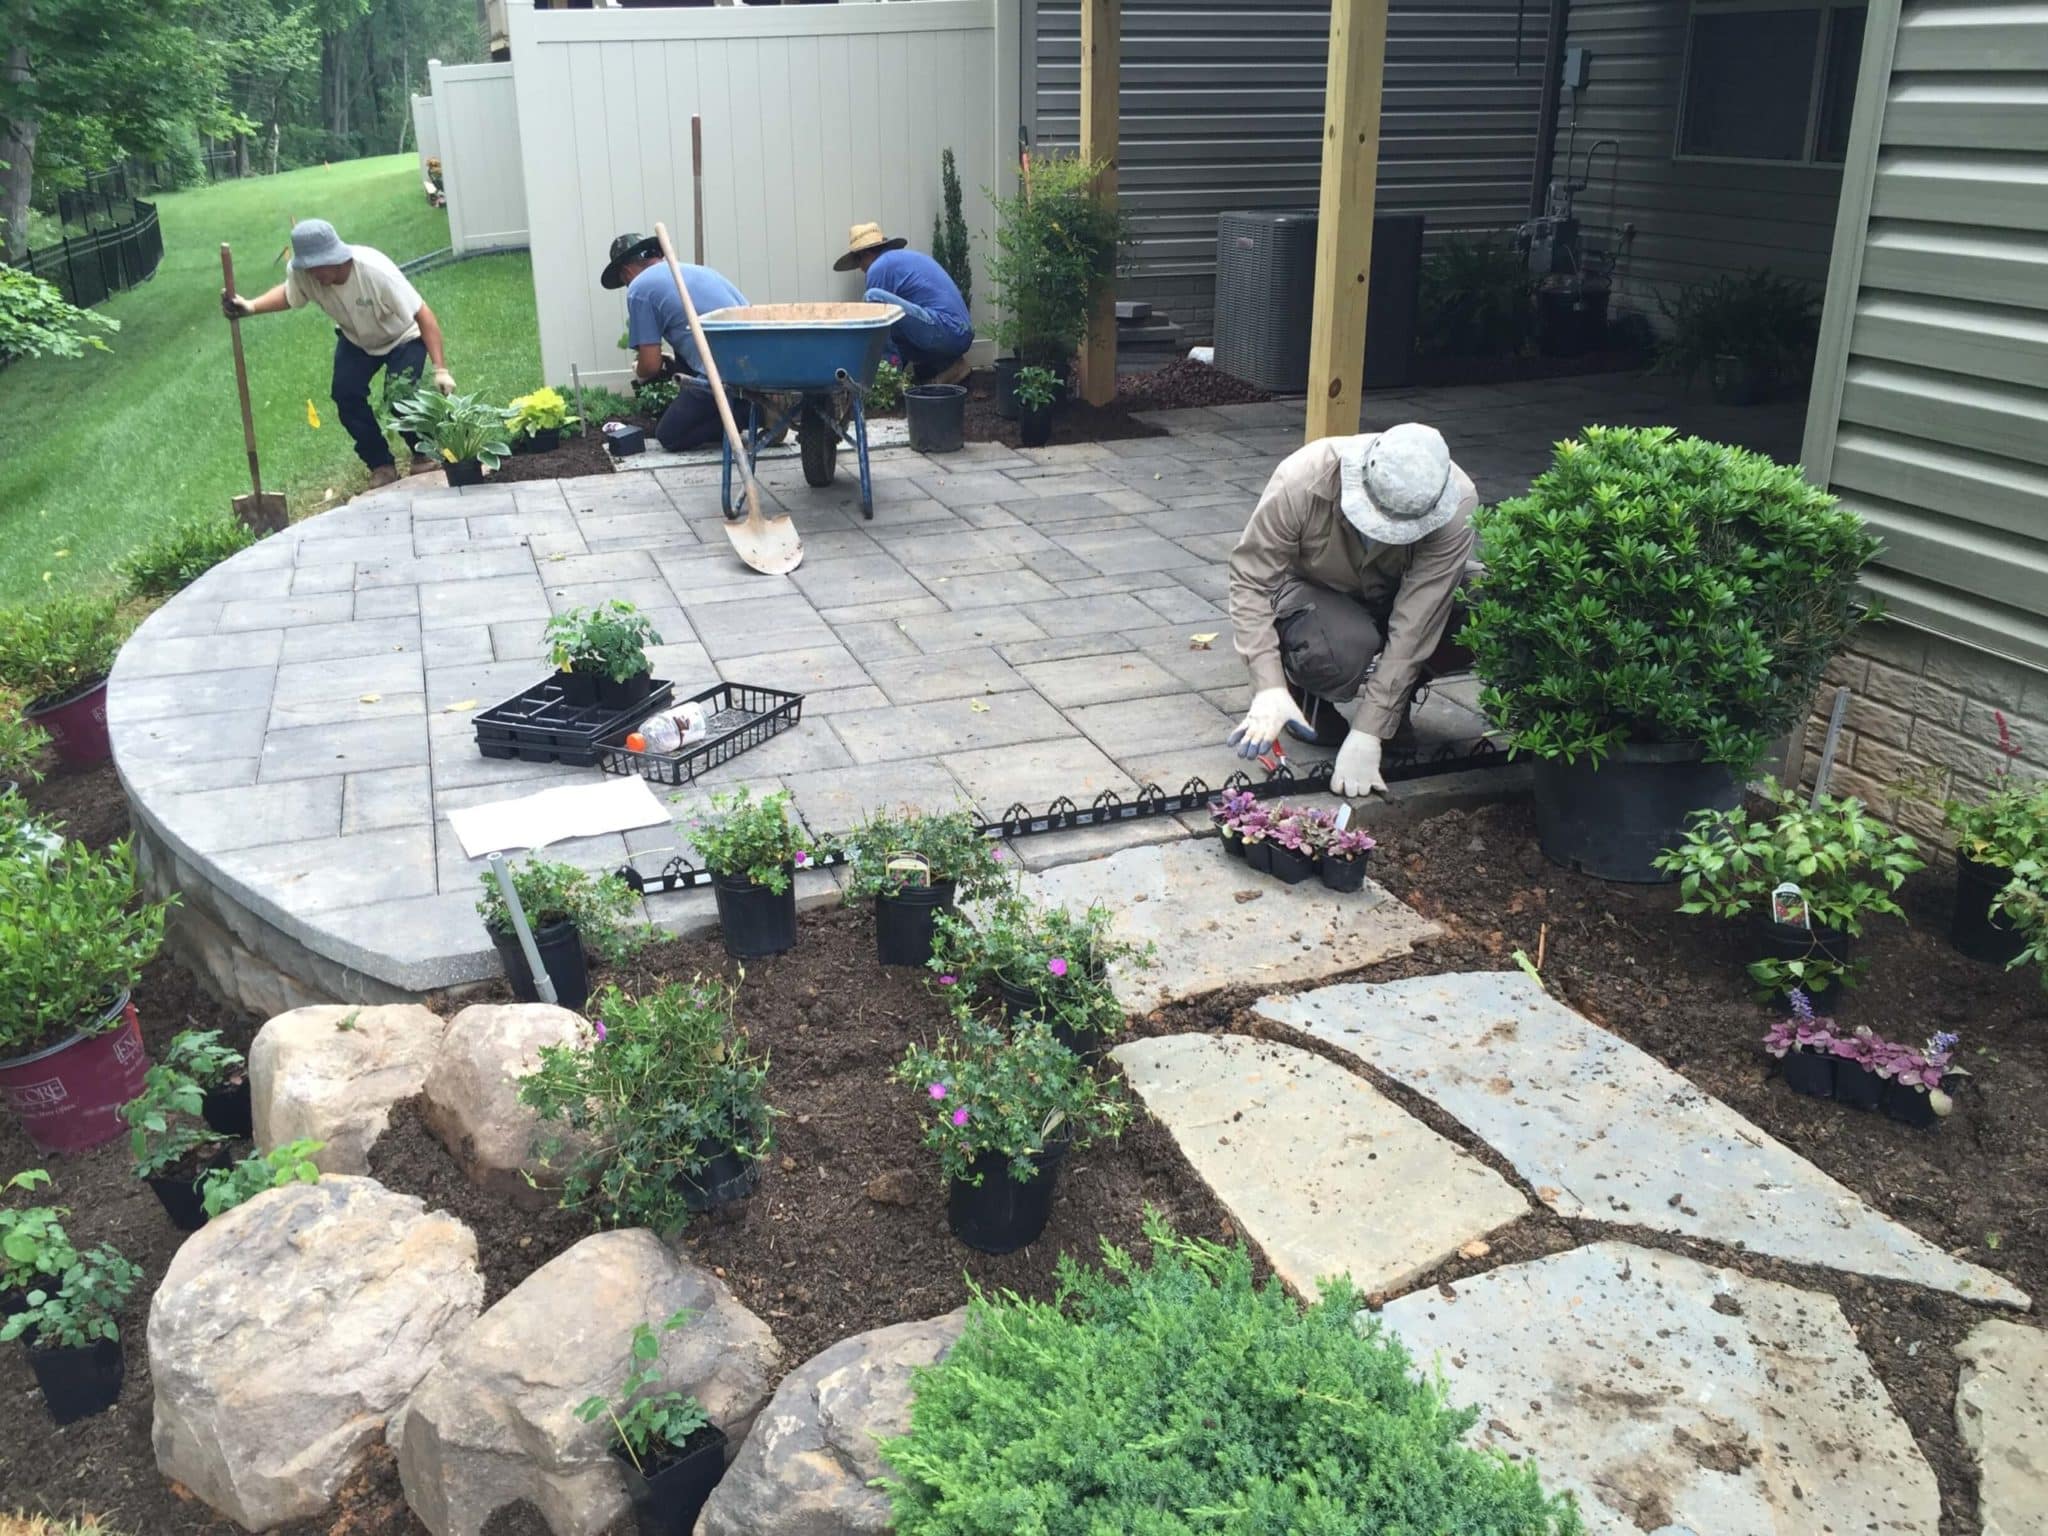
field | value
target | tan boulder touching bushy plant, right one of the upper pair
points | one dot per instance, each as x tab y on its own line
472	1091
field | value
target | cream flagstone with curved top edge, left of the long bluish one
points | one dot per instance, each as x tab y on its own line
1314	1164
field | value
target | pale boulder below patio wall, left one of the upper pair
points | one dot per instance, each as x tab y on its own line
333	1074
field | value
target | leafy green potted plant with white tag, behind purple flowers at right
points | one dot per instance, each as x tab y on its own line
1805	878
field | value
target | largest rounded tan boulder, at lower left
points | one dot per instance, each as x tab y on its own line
290	1330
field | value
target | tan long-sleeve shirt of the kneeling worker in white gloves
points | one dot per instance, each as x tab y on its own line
1299	531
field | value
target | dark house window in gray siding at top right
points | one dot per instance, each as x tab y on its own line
1770	81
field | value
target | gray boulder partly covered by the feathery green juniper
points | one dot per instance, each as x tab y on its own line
808	1465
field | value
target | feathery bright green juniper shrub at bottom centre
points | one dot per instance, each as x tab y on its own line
1181	1400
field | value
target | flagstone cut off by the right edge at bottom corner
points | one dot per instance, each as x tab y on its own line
2002	1414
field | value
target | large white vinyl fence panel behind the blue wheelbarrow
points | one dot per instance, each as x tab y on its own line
816	118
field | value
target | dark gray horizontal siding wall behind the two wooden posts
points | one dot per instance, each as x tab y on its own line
1224	110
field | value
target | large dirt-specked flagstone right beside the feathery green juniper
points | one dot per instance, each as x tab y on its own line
1674	1398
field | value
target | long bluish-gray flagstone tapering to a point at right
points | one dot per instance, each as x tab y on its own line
1609	1134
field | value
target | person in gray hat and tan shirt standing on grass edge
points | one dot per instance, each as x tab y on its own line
380	325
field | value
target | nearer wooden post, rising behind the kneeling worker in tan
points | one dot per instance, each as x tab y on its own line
1345	224
